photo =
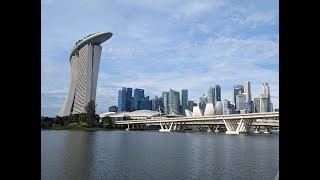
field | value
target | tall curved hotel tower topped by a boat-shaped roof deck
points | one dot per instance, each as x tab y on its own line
84	61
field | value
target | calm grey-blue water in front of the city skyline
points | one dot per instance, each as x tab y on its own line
155	155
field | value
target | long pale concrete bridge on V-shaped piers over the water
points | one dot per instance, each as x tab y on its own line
234	123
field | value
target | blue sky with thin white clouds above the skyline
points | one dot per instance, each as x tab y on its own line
162	44
